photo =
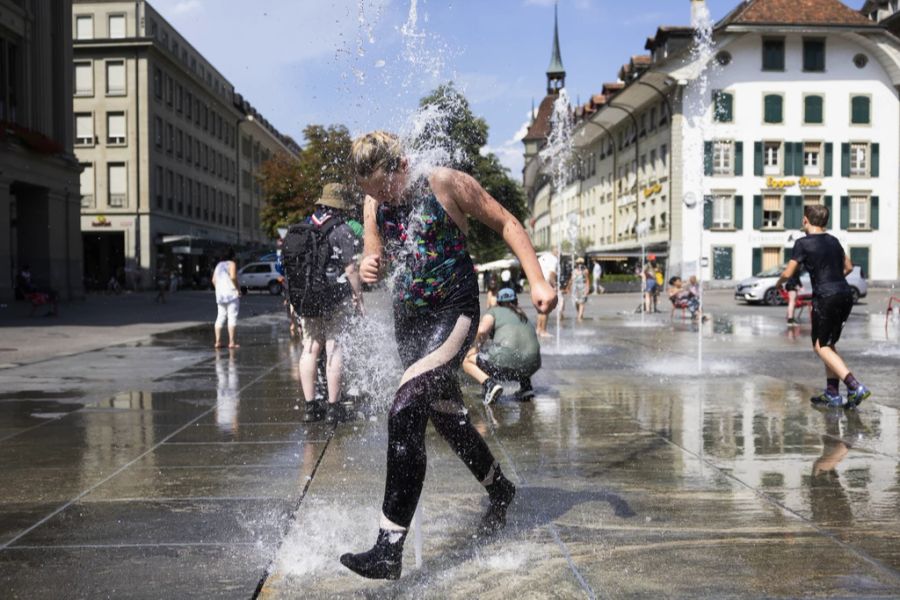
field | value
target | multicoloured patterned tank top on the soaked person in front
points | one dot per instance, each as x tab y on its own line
431	267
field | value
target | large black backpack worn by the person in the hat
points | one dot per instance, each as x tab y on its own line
310	270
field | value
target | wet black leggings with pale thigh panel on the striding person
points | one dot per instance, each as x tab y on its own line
432	349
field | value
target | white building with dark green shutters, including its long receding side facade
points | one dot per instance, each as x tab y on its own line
802	106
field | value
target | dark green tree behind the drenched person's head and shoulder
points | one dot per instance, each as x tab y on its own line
463	135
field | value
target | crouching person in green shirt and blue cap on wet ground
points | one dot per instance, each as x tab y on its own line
506	349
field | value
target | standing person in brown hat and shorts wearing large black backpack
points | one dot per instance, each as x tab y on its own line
325	302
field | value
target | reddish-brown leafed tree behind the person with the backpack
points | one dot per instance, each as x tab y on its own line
291	185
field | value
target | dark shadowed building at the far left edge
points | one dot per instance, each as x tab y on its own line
38	172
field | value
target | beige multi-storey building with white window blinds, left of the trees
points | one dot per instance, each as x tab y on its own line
158	133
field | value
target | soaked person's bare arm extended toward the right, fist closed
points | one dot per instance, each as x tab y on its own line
471	199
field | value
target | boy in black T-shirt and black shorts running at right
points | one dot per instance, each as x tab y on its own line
822	255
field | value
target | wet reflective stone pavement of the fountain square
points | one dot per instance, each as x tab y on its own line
164	469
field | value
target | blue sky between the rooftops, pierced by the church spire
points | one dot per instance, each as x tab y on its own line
366	63
